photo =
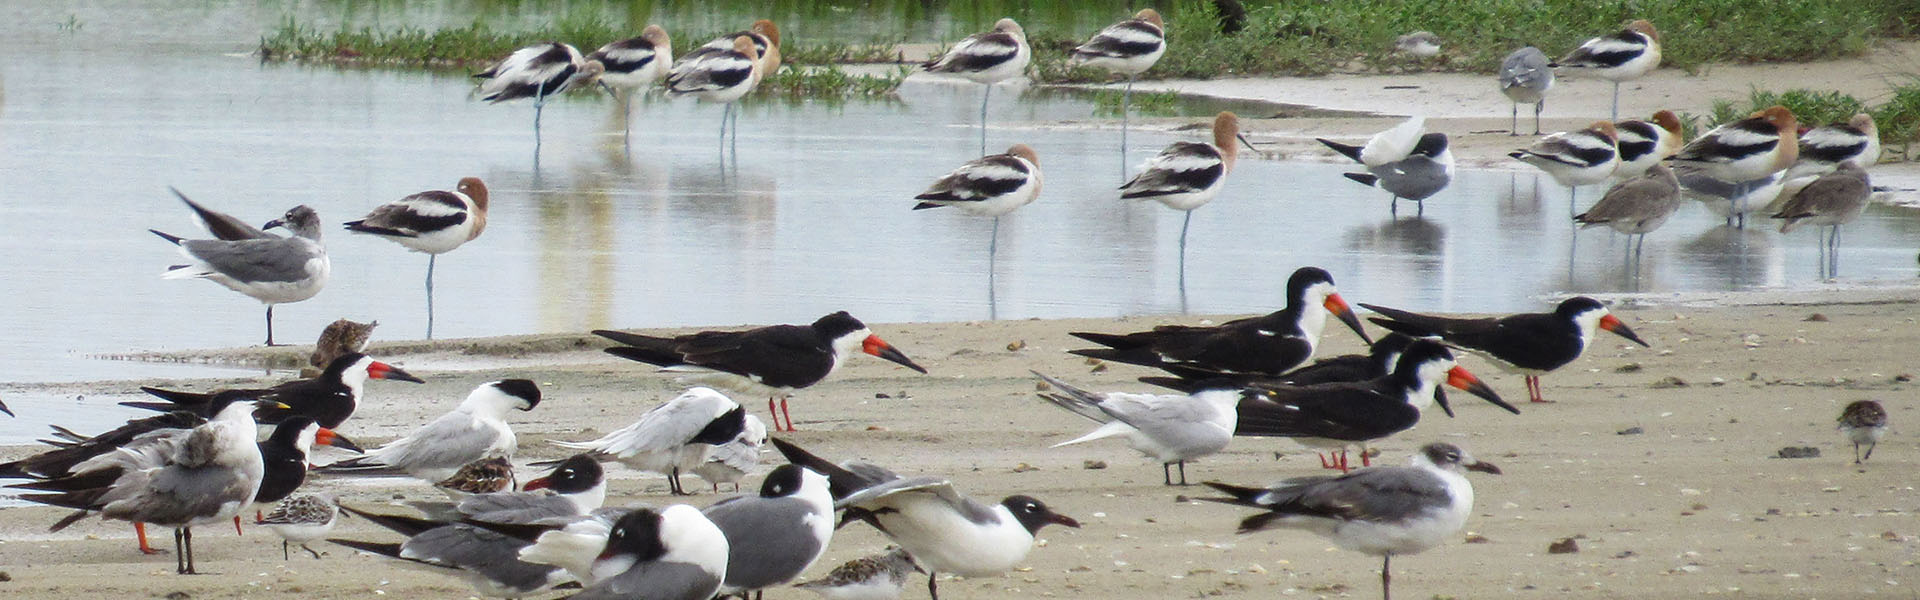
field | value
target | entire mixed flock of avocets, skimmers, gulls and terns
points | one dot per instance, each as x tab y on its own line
203	462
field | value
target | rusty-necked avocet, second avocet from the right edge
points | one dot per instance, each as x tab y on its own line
1750	149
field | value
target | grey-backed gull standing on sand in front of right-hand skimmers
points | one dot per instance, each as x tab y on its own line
1381	511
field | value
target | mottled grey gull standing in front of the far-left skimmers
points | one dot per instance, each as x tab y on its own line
206	476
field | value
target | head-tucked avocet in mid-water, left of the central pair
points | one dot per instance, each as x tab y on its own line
988	187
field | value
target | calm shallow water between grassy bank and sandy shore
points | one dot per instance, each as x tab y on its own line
813	216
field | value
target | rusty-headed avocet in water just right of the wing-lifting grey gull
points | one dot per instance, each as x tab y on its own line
431	222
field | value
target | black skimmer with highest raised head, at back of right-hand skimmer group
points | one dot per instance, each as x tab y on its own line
1270	345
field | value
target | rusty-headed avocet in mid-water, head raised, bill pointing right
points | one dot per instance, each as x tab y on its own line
1188	176
